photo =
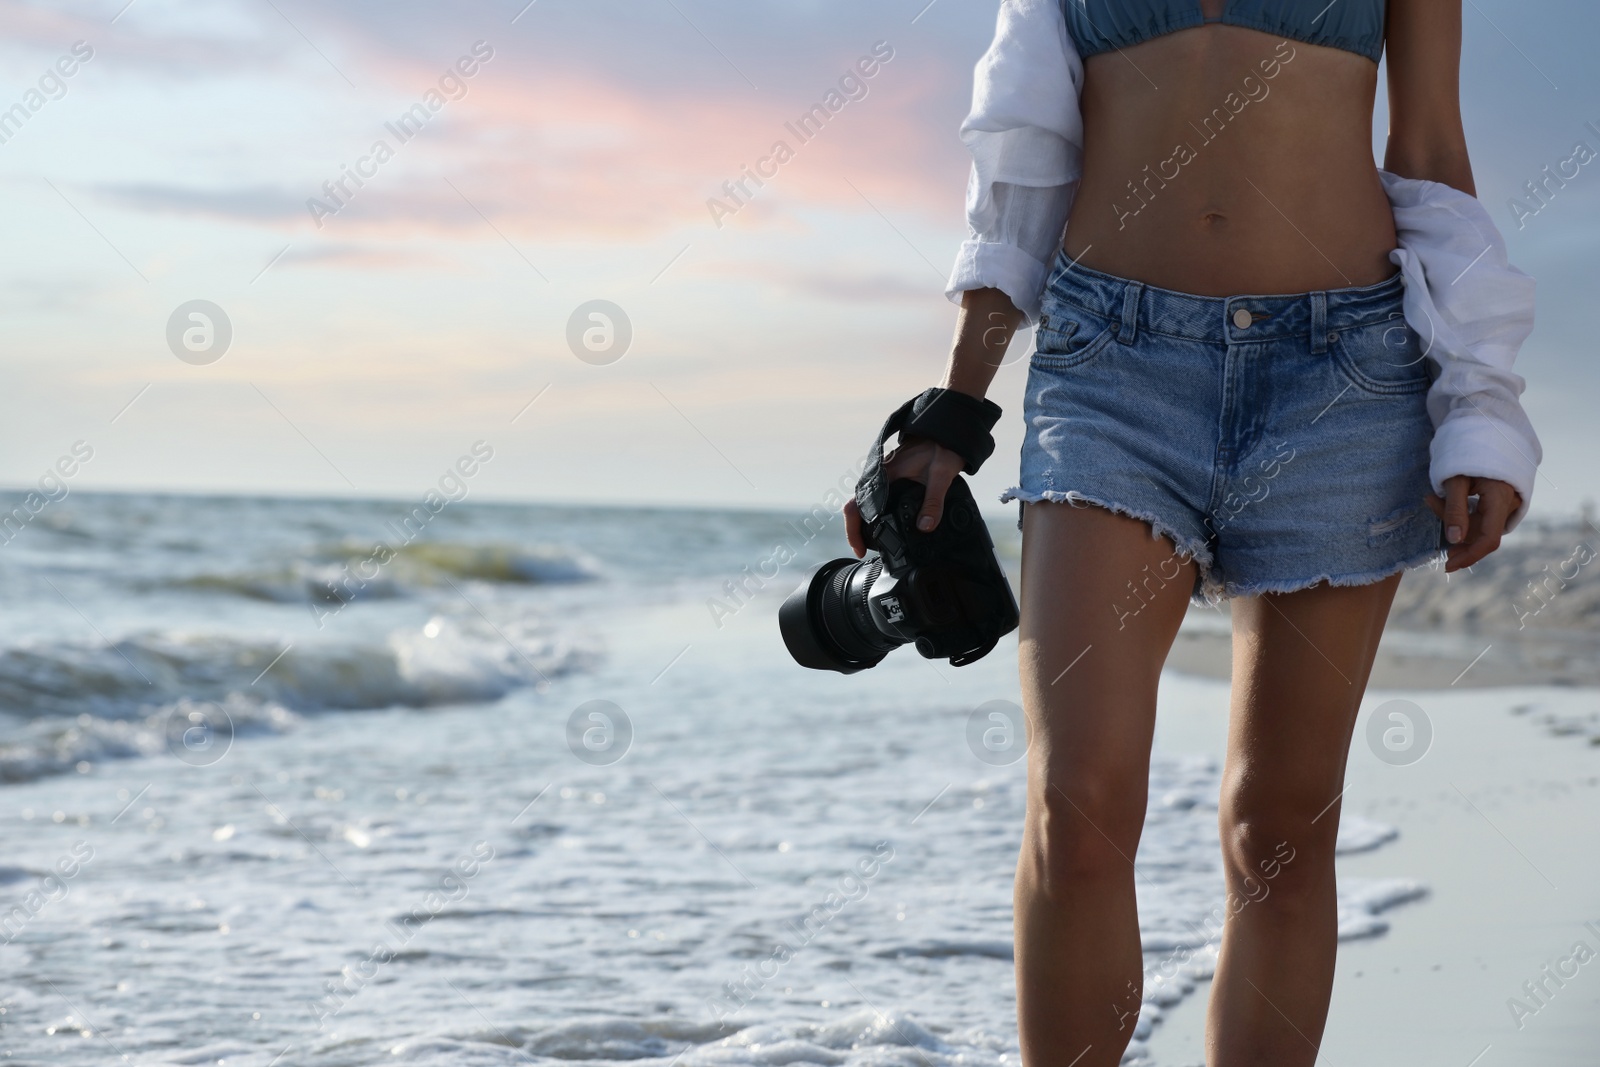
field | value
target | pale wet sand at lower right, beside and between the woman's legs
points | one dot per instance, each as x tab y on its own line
1498	820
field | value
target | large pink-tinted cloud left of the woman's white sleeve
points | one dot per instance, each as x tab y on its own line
575	159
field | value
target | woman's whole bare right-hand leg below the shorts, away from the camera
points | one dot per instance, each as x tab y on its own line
1300	669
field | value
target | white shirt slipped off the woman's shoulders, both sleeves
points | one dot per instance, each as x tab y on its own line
1466	302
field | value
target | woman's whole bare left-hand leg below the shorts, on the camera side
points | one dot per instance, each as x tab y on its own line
1089	687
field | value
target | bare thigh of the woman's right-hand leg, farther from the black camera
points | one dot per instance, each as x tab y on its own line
1300	669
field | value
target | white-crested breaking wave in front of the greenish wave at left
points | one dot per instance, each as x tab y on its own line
447	661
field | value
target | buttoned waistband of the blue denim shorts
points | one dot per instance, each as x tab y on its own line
1223	319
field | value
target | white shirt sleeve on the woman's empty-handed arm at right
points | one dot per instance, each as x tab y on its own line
1473	311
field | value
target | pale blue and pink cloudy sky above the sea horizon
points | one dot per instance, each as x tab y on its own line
574	153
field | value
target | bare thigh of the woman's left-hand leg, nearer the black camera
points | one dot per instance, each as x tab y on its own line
1102	604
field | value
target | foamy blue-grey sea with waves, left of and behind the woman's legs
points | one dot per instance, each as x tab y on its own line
342	783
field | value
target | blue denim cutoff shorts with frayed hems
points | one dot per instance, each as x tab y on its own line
1278	441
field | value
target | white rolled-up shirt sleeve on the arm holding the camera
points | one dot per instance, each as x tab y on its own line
1026	137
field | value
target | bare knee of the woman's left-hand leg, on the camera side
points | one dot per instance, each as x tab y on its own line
1086	828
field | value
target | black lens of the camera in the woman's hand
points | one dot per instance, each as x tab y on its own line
828	625
